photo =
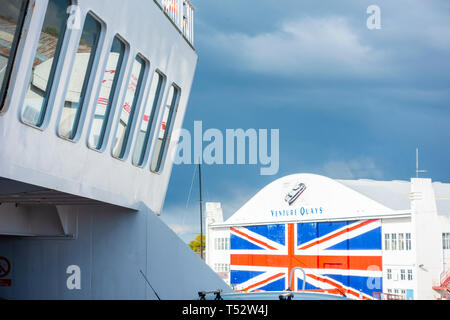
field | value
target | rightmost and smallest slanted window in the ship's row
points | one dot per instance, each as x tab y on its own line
163	138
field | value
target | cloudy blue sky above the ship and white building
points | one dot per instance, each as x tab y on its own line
349	102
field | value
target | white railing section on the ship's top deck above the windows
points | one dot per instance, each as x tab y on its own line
181	12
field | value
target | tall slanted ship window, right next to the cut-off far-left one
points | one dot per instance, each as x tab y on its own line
45	62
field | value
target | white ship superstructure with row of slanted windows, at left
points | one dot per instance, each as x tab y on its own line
92	93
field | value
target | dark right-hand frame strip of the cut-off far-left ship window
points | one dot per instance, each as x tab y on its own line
4	88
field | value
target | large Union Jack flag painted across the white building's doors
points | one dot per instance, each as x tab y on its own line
338	257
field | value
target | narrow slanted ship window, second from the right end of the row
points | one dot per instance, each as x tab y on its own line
148	119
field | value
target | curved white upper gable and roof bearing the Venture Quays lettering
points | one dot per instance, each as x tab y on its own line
322	198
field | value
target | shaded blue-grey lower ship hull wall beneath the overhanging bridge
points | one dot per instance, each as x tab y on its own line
112	245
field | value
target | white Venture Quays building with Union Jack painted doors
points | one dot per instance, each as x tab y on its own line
383	239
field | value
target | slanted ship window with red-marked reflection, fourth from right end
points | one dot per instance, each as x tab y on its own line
107	93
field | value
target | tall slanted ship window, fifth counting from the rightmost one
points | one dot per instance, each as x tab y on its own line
79	79
